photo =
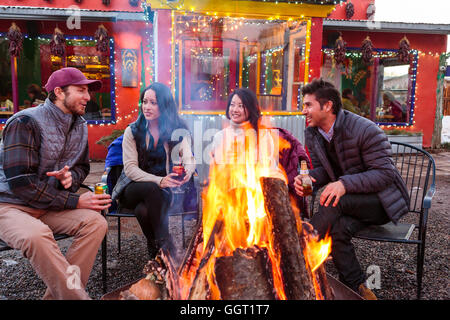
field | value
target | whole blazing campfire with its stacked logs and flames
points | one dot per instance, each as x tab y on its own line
250	245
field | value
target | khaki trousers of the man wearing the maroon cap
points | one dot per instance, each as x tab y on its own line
31	231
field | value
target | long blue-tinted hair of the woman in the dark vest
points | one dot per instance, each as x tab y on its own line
169	120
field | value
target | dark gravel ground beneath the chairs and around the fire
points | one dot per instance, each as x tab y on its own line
397	262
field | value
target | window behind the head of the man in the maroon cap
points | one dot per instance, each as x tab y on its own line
36	63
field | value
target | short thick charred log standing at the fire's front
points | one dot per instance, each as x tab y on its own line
246	275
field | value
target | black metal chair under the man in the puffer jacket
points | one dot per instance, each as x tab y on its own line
418	170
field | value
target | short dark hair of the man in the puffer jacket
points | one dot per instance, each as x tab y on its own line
324	92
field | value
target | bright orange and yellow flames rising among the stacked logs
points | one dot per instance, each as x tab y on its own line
234	196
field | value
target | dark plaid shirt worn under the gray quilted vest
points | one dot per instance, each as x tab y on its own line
21	139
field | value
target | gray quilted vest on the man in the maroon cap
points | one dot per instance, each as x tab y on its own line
62	143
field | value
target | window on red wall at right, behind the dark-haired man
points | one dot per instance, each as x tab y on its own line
382	91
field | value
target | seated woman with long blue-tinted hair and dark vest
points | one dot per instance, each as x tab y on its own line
148	149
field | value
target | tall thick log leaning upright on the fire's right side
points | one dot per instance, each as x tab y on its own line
296	281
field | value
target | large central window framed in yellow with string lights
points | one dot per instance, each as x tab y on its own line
215	55
